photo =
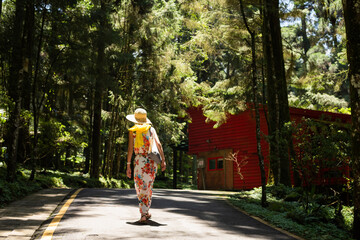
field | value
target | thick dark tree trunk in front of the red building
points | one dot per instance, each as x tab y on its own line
278	106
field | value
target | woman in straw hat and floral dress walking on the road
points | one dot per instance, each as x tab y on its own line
145	168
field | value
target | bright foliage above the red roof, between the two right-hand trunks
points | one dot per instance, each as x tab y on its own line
316	64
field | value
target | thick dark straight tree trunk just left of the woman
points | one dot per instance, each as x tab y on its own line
96	135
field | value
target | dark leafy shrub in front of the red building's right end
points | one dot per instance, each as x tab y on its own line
324	152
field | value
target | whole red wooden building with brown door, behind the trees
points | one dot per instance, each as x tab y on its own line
211	147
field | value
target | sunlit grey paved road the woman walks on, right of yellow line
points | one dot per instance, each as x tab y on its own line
177	214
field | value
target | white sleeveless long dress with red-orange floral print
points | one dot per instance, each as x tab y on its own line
144	173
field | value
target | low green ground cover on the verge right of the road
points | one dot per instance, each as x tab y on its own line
291	216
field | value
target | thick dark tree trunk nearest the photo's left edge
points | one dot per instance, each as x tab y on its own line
14	90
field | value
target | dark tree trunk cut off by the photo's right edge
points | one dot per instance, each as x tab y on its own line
352	24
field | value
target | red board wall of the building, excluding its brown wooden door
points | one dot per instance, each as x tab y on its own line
238	133
